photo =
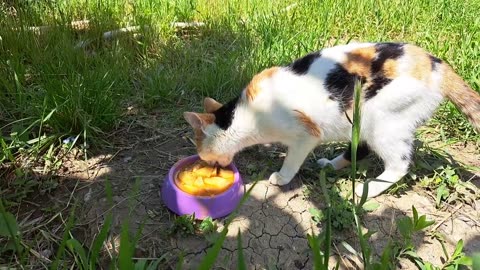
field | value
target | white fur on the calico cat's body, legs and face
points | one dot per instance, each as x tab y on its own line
387	125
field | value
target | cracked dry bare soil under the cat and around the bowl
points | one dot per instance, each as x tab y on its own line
274	221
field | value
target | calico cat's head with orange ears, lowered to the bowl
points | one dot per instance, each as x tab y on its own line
210	139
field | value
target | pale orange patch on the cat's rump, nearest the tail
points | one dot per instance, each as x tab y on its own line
422	67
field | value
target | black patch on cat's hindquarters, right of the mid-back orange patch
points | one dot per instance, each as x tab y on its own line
384	52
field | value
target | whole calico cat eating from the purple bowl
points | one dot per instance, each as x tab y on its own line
310	101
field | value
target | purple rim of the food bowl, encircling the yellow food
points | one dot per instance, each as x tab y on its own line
190	159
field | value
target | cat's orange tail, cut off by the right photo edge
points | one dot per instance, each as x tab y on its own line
463	96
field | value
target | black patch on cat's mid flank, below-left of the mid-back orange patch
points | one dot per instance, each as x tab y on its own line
340	83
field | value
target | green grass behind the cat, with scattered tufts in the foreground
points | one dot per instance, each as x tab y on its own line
56	95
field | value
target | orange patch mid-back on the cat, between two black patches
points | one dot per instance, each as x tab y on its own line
359	61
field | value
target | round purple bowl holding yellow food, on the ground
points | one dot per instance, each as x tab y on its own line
183	203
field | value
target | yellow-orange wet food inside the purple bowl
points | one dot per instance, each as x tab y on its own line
201	179
